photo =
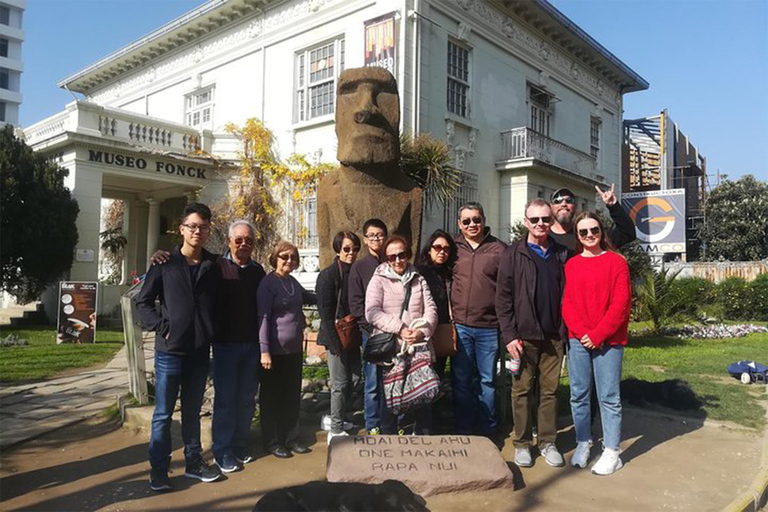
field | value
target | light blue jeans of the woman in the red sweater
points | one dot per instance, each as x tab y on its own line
605	363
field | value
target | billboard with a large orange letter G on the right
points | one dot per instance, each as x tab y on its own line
659	217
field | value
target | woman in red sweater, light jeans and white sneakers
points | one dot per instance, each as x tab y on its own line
596	306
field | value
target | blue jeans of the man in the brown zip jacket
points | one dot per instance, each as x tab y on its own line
472	371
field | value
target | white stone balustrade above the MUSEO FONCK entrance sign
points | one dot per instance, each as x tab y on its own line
91	119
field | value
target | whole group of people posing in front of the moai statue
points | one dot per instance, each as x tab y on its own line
561	288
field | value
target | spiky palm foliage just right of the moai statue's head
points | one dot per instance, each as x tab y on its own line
427	161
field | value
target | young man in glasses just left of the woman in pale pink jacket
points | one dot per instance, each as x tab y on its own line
360	274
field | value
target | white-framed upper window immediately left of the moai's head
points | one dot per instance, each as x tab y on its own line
317	69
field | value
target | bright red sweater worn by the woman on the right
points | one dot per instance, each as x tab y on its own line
597	298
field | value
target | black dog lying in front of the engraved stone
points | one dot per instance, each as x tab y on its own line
342	497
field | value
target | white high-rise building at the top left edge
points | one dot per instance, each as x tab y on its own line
11	67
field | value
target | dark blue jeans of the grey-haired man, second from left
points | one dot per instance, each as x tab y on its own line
236	379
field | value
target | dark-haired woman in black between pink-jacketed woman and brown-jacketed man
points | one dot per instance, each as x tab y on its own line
435	264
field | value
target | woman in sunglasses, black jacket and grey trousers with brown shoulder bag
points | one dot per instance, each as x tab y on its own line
333	304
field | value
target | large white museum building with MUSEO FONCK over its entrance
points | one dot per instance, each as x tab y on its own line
526	99
